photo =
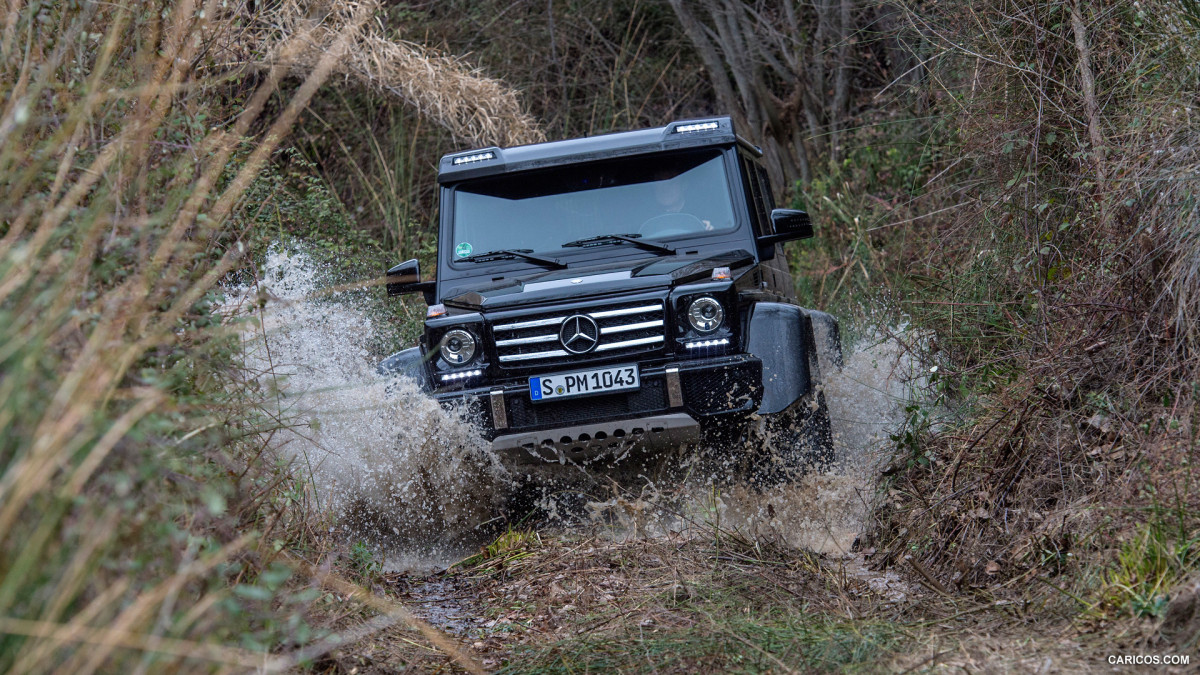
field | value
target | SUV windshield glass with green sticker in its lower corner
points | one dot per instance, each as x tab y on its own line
658	198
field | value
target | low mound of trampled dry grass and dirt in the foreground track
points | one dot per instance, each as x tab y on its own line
706	601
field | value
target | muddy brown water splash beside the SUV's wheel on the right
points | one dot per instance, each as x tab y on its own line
823	512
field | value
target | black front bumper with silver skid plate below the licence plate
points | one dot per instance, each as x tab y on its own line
676	402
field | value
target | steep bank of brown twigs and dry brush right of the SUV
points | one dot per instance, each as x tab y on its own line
1063	259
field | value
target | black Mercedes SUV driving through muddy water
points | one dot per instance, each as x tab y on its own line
623	290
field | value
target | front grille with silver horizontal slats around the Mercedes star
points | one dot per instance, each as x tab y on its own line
625	330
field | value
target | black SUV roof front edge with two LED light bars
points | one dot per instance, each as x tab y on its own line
675	136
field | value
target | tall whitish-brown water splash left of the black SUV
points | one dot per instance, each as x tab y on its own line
387	463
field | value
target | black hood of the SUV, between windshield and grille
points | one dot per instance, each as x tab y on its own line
603	279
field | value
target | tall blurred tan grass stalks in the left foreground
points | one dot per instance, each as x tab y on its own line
143	522
